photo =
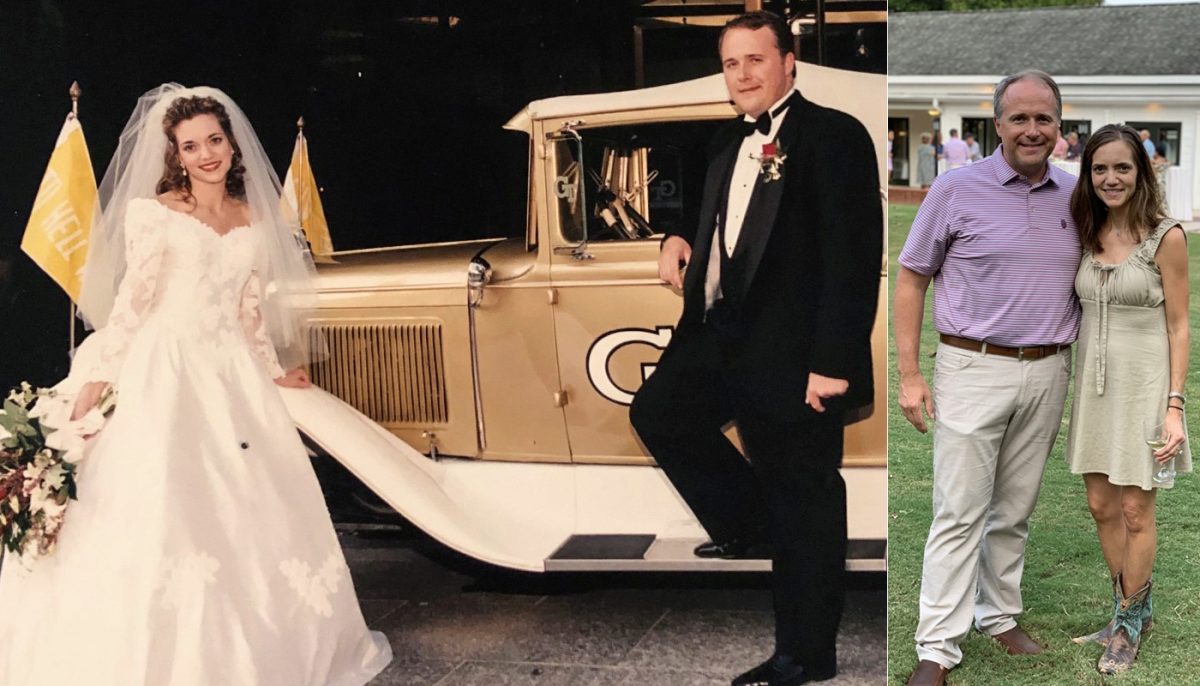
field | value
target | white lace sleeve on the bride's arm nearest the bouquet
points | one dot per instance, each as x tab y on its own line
145	245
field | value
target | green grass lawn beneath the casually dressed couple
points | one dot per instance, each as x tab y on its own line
1066	583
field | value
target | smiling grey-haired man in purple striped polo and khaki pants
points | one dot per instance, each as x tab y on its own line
999	243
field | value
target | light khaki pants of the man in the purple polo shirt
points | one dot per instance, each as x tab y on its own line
998	419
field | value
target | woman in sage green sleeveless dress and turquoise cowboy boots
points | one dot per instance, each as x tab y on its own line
1133	362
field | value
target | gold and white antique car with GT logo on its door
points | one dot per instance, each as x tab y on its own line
482	389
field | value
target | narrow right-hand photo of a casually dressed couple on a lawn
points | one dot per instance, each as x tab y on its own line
1042	172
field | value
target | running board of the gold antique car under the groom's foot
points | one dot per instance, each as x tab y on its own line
647	553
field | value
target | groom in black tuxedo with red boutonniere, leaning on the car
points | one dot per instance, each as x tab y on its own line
779	302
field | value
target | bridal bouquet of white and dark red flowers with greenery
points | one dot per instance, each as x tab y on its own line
40	448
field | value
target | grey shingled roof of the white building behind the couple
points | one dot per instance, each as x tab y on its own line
1063	41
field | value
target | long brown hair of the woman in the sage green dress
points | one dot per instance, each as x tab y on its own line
1090	213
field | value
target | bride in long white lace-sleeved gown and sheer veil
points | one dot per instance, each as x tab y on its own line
200	551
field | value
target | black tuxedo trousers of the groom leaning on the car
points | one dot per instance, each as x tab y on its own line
788	484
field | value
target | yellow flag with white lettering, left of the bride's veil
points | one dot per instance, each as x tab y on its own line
59	225
